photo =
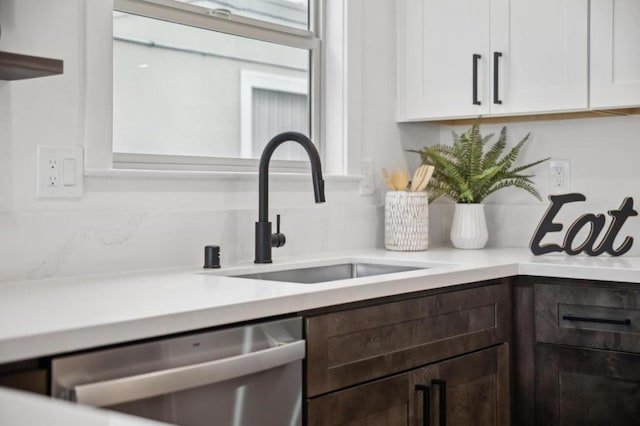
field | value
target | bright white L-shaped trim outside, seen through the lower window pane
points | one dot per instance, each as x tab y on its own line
250	80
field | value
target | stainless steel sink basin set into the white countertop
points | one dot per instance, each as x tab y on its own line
318	274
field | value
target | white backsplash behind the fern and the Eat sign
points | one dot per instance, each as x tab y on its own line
604	156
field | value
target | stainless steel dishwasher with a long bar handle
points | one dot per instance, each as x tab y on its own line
249	375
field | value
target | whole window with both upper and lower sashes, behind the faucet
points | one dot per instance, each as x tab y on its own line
208	83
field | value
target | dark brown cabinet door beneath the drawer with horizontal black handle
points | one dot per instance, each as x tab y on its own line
577	386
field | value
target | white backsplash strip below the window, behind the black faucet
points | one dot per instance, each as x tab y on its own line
65	244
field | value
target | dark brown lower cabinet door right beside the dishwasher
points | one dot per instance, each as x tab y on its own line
381	403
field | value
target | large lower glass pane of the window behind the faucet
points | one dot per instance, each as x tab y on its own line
180	90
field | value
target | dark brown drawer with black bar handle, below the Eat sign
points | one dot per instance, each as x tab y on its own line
593	317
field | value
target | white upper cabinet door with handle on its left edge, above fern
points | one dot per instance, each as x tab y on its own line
539	57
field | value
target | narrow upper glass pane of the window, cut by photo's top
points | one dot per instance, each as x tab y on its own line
292	13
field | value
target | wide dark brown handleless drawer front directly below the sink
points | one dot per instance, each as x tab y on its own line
353	346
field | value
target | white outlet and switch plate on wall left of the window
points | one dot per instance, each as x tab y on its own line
59	172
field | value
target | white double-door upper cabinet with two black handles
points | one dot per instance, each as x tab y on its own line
462	59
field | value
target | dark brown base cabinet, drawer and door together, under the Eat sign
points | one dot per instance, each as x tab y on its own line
587	353
